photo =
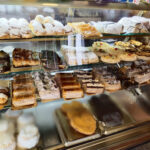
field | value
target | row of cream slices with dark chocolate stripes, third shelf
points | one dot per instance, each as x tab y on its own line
89	83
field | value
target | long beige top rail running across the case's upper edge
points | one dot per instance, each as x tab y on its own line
77	4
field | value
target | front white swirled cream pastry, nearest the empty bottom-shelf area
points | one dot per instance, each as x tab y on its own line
28	137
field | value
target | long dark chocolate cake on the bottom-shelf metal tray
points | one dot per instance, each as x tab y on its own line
106	111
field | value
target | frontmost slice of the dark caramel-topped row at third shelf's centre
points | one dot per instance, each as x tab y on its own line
72	93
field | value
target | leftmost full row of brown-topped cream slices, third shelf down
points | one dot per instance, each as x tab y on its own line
23	91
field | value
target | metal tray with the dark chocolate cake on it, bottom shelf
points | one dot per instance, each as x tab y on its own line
110	117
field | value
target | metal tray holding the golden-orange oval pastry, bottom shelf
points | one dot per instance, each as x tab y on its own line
76	124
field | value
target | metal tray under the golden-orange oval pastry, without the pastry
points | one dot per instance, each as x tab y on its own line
68	135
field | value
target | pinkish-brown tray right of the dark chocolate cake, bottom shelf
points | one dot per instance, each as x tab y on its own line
128	102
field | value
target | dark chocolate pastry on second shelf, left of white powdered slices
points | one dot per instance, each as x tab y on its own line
51	60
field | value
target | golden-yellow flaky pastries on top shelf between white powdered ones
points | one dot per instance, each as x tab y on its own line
84	29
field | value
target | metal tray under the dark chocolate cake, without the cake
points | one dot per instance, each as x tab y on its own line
128	122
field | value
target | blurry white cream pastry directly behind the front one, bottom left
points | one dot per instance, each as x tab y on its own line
24	120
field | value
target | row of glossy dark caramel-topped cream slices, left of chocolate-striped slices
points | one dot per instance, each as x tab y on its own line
70	87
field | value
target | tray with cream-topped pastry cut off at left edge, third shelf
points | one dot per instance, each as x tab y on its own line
5	99
